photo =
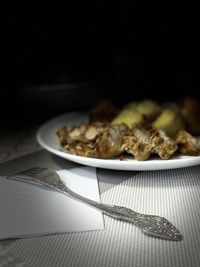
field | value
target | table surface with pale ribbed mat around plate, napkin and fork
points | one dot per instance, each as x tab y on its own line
174	194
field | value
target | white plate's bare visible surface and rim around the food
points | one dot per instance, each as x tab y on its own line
48	140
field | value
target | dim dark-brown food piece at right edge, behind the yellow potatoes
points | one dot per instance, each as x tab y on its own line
190	110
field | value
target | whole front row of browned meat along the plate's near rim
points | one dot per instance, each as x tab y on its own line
100	140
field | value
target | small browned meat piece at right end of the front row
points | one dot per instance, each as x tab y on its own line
187	144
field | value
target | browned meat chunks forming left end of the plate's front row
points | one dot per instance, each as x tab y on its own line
96	140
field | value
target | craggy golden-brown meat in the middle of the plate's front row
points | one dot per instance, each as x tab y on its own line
141	143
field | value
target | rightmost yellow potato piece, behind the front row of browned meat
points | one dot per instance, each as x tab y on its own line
170	120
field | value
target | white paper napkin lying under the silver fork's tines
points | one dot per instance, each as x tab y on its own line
27	210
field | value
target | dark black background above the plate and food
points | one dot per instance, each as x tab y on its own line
119	56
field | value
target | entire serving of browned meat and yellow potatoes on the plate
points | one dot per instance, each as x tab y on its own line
140	130
